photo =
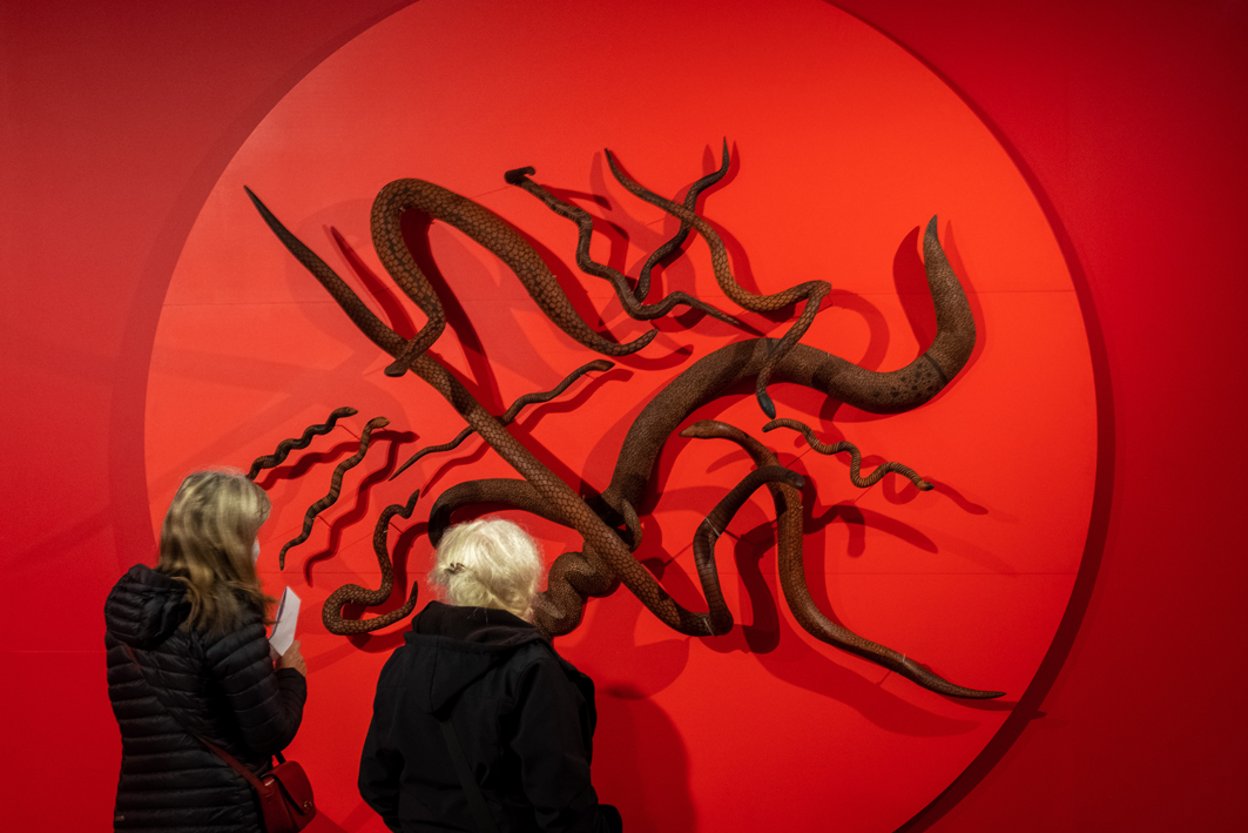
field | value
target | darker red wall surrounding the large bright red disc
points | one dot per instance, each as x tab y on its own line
1129	122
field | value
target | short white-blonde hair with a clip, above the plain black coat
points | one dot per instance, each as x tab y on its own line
489	563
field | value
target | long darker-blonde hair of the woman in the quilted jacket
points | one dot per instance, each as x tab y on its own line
207	545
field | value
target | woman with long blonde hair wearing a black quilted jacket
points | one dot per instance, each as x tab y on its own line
189	660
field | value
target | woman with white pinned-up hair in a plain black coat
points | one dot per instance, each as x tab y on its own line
479	725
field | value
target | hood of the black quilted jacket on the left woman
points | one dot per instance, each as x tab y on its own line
145	608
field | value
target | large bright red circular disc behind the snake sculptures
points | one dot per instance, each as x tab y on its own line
843	147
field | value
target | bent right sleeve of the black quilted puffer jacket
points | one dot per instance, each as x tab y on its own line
268	704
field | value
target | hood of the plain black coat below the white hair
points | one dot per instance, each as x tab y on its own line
450	648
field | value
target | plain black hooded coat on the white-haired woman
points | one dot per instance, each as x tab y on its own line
525	719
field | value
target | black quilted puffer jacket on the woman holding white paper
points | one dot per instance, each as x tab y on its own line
224	688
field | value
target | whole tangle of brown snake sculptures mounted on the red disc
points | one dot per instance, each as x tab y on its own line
608	524
